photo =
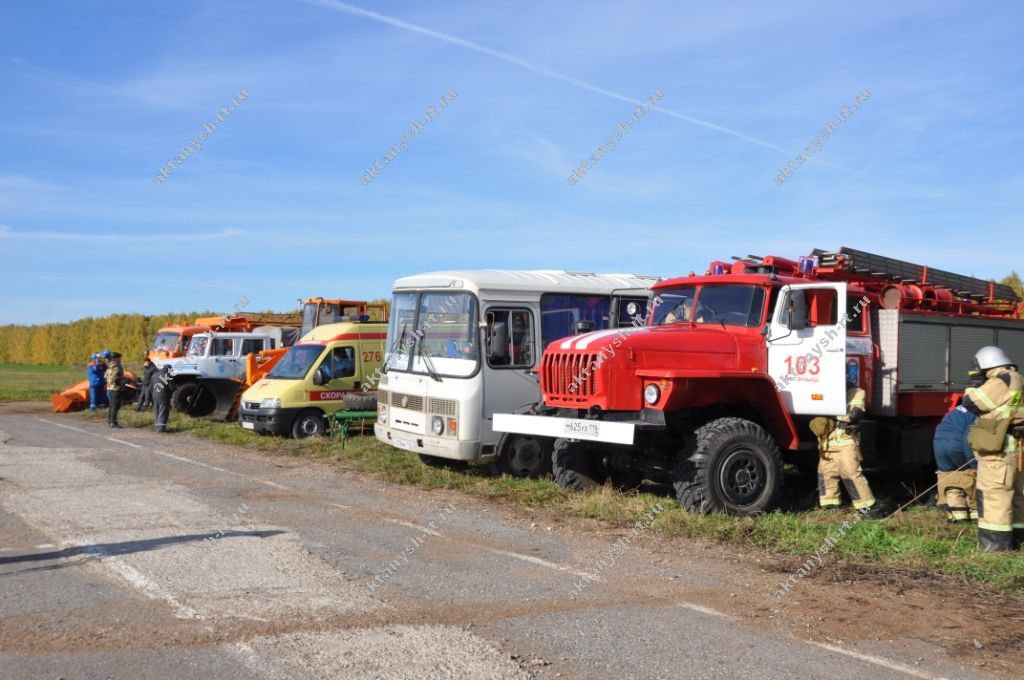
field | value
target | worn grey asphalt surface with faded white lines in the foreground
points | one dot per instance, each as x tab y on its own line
127	555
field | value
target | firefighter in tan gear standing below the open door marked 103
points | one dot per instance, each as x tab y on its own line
839	445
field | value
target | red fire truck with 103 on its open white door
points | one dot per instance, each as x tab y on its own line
716	390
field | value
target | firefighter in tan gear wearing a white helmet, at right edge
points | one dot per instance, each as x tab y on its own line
997	440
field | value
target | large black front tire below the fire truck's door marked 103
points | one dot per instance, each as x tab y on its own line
729	465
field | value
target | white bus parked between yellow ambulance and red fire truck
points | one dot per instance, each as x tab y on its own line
464	346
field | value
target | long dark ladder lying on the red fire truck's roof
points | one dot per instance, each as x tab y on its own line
869	266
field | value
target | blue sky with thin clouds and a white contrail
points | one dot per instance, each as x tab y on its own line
97	97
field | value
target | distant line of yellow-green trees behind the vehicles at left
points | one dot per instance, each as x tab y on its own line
71	345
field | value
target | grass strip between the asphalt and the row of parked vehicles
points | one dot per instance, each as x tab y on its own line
917	539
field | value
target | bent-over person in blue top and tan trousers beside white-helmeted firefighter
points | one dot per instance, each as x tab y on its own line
957	466
